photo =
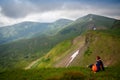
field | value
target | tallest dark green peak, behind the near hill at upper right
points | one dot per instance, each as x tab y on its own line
87	22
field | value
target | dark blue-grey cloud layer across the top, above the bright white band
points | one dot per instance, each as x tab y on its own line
22	8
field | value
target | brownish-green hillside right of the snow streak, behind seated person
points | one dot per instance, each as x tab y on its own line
105	43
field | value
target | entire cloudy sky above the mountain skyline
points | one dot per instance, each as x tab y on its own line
16	11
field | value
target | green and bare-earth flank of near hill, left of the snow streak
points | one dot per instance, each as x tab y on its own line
61	50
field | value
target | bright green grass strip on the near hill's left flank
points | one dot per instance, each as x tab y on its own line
54	55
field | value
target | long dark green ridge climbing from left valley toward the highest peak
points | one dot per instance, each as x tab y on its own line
25	51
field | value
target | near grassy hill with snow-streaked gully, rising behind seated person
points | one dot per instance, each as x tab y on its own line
105	43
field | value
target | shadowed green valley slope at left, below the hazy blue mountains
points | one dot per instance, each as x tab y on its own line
20	53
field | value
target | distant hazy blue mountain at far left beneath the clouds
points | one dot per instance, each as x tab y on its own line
21	30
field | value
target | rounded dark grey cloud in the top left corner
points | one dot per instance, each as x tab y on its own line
16	9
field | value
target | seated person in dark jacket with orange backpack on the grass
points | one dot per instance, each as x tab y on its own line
98	66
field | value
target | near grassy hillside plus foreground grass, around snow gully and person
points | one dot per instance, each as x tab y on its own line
105	43
